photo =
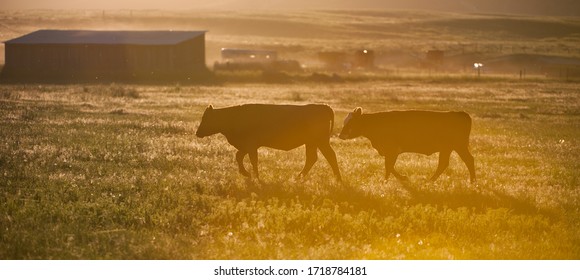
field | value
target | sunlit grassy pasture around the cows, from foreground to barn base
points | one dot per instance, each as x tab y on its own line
116	172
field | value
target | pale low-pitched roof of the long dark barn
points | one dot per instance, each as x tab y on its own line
106	37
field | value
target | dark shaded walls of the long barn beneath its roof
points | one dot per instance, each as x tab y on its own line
97	62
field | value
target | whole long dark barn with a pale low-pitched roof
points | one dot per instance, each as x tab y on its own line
105	55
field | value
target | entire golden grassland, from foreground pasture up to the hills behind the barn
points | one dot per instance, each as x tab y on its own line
114	171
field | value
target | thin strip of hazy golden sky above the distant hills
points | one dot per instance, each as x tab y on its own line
548	7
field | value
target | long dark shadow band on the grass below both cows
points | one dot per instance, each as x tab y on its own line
351	197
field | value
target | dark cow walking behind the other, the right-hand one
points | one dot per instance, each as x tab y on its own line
426	132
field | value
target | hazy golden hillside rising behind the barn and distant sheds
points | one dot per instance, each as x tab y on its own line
400	38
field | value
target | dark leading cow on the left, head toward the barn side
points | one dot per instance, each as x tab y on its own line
284	127
